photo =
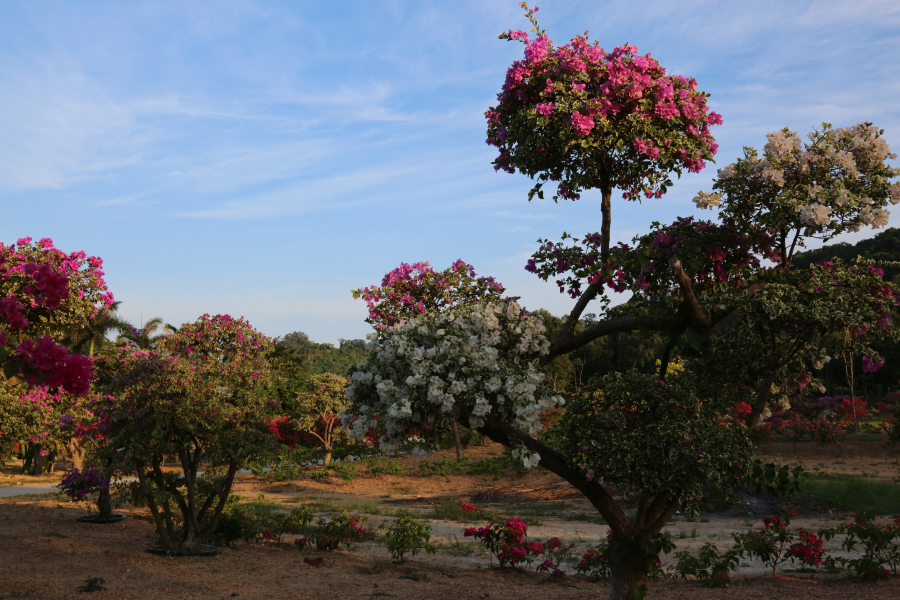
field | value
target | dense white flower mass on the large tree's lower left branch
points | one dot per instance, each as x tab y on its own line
472	363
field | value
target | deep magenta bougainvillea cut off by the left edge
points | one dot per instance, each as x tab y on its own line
45	294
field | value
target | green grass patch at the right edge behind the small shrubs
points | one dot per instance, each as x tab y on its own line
855	494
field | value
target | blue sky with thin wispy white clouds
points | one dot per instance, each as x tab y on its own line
263	158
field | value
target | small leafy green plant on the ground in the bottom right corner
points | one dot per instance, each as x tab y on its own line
875	545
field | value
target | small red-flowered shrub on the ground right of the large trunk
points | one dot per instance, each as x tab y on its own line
777	544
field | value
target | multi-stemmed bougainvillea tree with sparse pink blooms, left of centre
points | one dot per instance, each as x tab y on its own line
202	400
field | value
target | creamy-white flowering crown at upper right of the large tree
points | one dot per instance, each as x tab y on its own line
837	181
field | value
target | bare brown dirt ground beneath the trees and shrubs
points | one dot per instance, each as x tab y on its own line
45	553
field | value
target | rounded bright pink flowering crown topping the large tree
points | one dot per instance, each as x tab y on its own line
586	118
